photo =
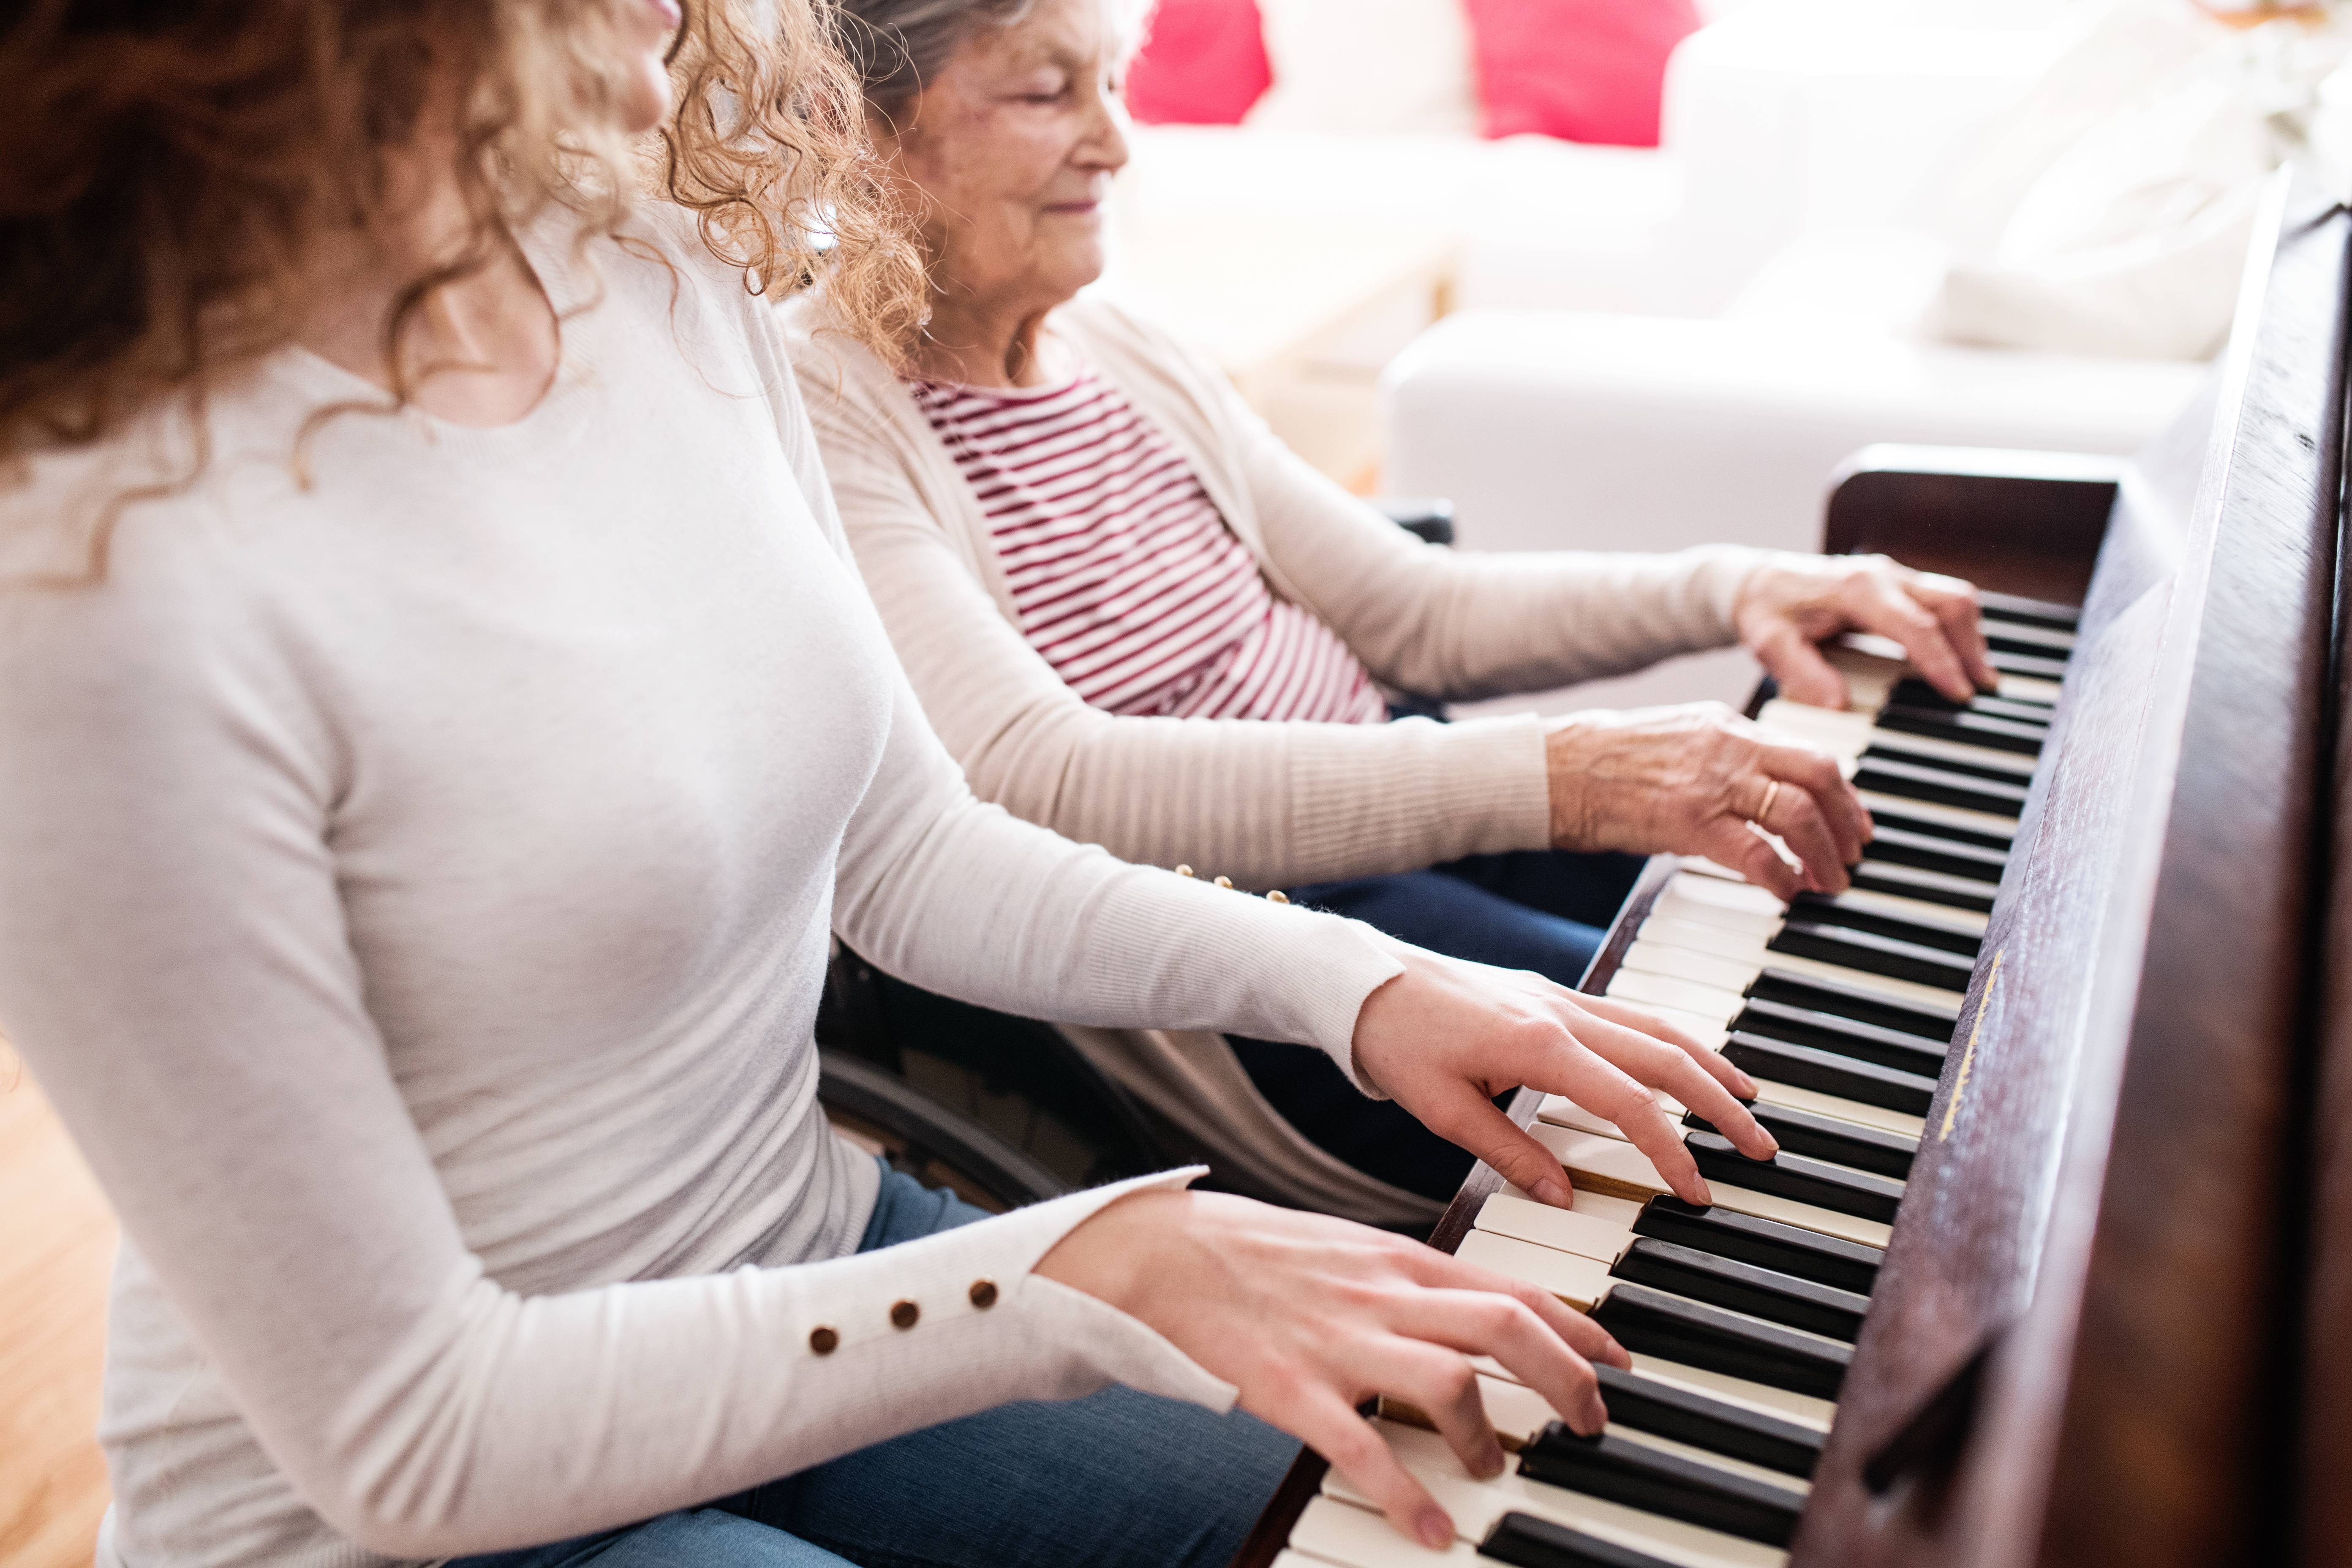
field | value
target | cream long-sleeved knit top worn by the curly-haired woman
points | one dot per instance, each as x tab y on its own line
415	892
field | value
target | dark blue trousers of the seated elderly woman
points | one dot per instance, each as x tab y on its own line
1542	911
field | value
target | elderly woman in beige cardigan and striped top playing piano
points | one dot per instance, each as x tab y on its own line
1135	617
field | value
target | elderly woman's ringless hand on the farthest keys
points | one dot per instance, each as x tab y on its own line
1789	608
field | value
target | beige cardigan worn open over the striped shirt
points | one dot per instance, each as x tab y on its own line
1269	805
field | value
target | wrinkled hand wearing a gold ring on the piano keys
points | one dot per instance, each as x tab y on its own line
1690	782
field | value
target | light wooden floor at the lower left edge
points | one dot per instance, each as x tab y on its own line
58	1242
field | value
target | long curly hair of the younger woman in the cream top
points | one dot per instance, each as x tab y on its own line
171	168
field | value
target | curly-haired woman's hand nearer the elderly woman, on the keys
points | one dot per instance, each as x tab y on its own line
1448	1038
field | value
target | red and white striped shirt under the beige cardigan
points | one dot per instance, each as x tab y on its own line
1125	575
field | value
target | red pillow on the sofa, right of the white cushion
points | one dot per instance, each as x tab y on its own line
1577	69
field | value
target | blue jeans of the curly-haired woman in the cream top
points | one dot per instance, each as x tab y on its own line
1118	1480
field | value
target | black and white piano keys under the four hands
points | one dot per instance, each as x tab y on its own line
1742	1318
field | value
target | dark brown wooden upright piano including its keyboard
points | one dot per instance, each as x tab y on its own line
2052	1266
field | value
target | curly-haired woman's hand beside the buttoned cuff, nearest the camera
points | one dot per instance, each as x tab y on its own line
1309	1318
